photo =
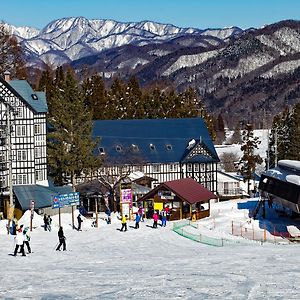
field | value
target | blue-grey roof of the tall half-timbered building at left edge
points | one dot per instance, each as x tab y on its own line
23	88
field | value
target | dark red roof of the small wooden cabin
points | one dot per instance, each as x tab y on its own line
187	189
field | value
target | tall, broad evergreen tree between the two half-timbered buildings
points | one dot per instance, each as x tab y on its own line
70	147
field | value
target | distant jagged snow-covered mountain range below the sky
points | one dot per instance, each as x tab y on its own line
69	39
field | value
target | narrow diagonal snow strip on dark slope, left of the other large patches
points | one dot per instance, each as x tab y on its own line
189	61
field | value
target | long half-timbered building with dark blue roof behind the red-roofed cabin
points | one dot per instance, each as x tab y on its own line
163	149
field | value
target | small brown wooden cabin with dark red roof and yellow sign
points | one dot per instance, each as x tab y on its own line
185	197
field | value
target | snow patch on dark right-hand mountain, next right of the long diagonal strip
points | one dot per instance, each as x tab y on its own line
245	66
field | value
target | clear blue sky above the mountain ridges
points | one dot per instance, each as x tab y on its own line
183	13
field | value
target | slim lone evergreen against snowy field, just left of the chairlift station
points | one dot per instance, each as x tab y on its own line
249	160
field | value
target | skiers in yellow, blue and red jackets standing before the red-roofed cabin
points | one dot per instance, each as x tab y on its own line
139	216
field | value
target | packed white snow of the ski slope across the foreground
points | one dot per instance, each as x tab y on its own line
146	263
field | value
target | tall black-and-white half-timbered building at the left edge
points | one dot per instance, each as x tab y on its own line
22	138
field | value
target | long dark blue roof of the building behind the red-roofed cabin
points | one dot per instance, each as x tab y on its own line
170	138
